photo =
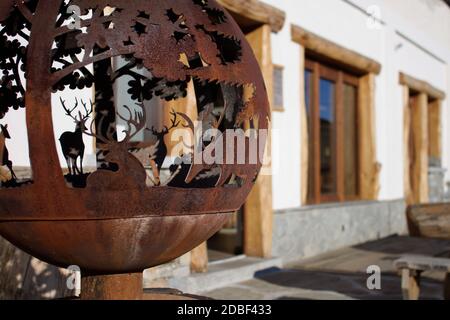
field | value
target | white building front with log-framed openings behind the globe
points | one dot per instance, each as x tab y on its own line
361	124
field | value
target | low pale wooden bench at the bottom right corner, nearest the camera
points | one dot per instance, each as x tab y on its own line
412	267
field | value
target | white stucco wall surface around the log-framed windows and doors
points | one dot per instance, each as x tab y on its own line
414	37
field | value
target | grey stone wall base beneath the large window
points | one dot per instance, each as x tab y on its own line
313	230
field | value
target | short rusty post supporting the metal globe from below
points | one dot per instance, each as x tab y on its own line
112	287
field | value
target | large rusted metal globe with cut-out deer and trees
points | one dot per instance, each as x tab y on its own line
139	205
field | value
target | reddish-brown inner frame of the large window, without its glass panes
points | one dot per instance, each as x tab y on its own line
340	78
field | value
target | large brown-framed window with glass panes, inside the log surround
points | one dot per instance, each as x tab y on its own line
331	102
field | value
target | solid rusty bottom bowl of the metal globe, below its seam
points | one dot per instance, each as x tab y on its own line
113	246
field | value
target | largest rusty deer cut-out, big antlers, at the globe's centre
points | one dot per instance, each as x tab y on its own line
131	173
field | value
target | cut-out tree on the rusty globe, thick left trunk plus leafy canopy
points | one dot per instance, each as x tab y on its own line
162	37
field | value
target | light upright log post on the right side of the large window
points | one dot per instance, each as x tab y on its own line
369	168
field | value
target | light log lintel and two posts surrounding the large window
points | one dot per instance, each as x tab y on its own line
367	69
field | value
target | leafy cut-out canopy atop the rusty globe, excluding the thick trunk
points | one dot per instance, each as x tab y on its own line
116	34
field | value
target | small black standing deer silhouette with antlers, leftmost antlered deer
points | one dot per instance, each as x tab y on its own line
72	144
